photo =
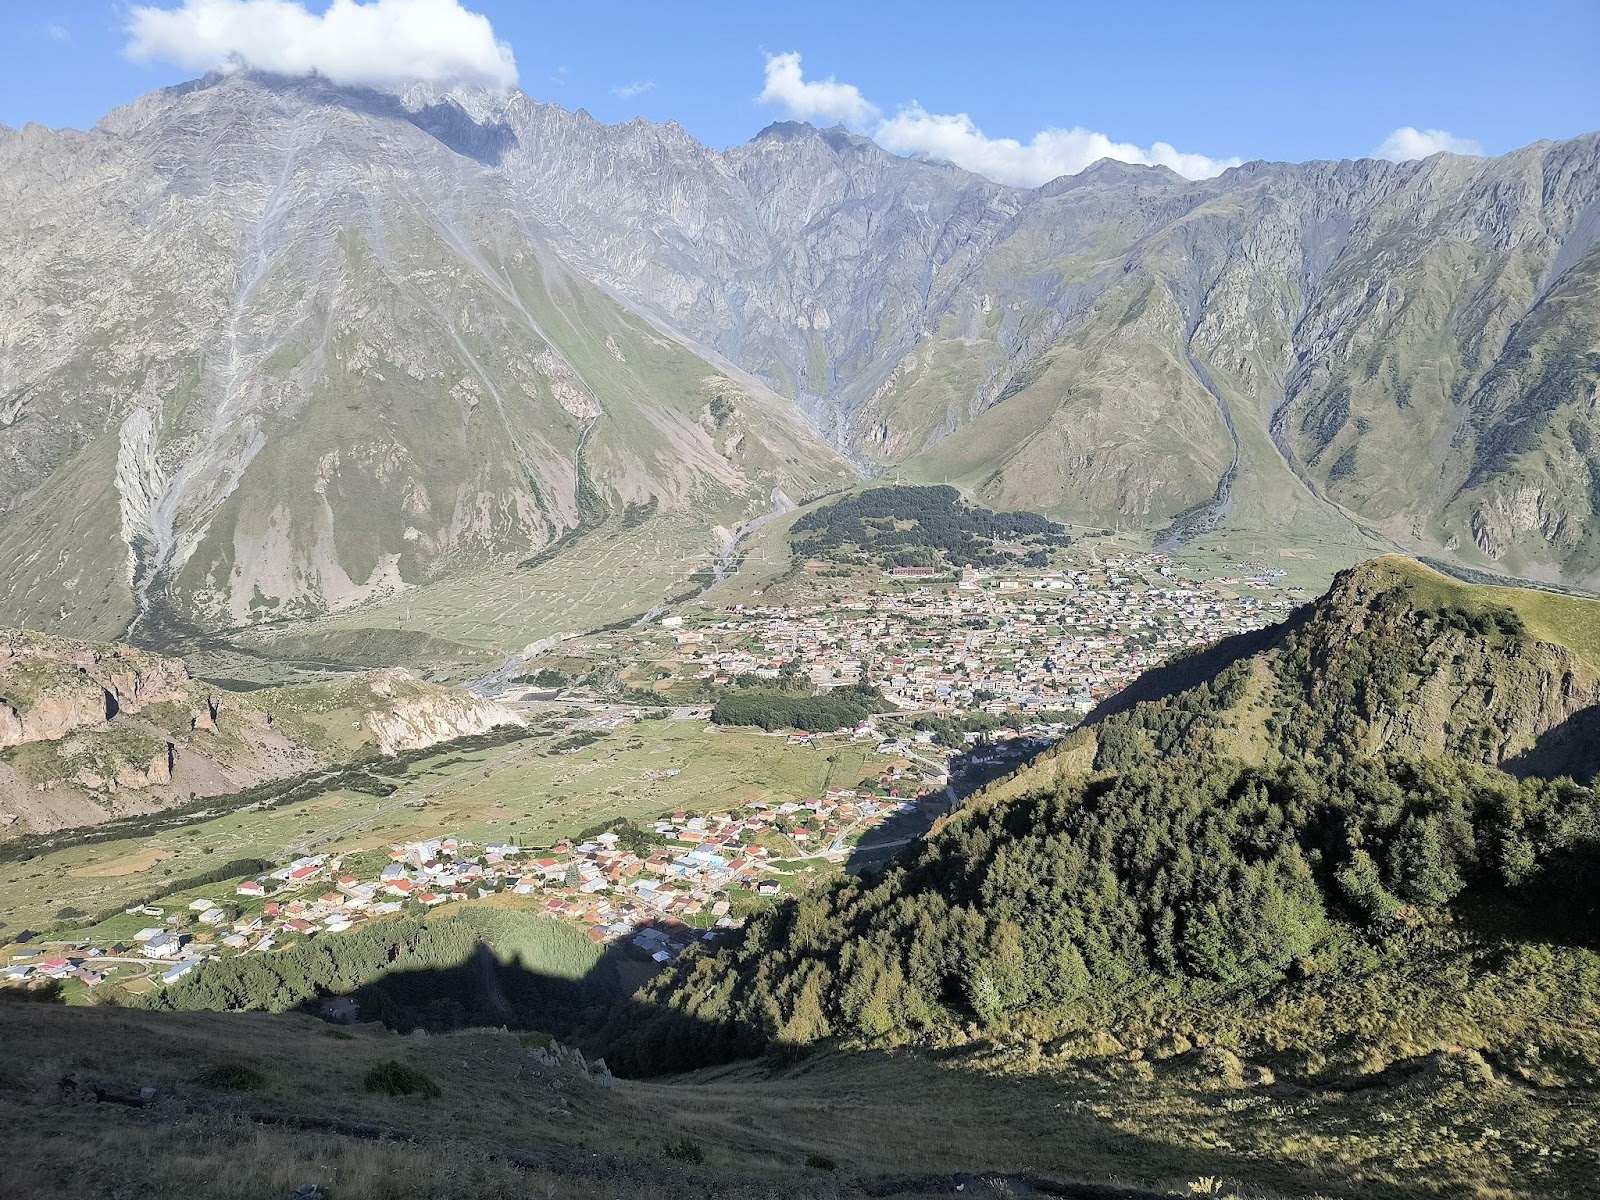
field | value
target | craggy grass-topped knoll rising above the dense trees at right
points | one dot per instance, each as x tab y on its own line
1396	657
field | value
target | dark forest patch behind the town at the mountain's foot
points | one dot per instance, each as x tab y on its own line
926	527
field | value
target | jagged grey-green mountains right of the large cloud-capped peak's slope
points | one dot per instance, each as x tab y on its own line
1289	348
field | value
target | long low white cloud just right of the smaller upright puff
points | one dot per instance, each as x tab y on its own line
1044	158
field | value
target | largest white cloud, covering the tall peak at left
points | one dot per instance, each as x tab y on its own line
383	44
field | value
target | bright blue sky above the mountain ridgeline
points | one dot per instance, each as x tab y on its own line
1215	82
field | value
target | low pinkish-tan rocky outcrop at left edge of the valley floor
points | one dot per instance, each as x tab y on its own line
94	730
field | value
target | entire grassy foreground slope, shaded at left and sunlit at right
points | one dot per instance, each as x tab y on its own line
905	1121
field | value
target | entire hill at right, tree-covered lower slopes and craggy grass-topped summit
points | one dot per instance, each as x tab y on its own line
1222	857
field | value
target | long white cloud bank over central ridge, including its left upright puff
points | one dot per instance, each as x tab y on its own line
958	138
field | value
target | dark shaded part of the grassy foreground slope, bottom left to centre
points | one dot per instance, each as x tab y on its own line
942	1122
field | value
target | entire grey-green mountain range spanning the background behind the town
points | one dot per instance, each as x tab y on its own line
276	348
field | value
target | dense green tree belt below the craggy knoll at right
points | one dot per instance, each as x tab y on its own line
1180	881
